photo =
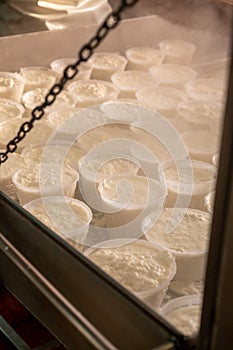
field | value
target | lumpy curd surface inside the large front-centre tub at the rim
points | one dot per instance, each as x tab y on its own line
137	266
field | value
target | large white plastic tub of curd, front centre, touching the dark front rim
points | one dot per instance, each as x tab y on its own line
143	268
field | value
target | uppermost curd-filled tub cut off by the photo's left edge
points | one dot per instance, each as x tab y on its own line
11	86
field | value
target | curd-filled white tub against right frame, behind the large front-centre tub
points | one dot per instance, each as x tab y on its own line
187	240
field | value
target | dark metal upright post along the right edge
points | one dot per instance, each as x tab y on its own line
217	313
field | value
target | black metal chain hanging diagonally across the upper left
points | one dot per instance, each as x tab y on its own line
86	51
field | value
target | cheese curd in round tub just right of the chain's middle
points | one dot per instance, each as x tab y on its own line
91	92
